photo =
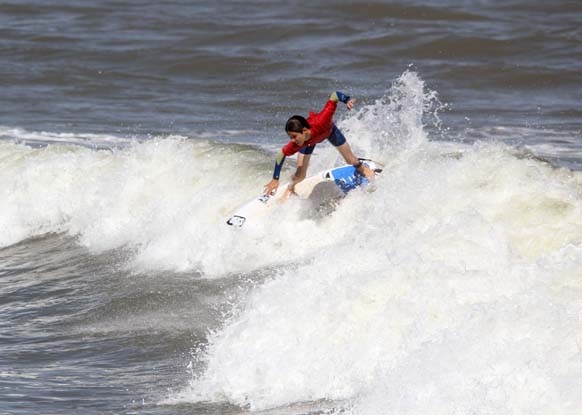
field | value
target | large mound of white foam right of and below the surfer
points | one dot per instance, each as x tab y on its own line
453	288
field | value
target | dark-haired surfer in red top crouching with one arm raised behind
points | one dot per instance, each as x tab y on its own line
306	133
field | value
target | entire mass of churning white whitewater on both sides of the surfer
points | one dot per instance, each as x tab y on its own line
452	284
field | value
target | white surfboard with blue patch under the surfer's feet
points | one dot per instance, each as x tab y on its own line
345	178
